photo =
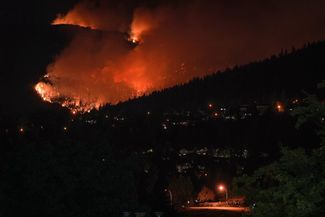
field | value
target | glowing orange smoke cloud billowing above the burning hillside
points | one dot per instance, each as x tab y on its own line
151	48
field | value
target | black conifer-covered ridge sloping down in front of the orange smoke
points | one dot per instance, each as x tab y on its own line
279	77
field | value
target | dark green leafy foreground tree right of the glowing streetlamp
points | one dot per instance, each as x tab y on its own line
294	185
